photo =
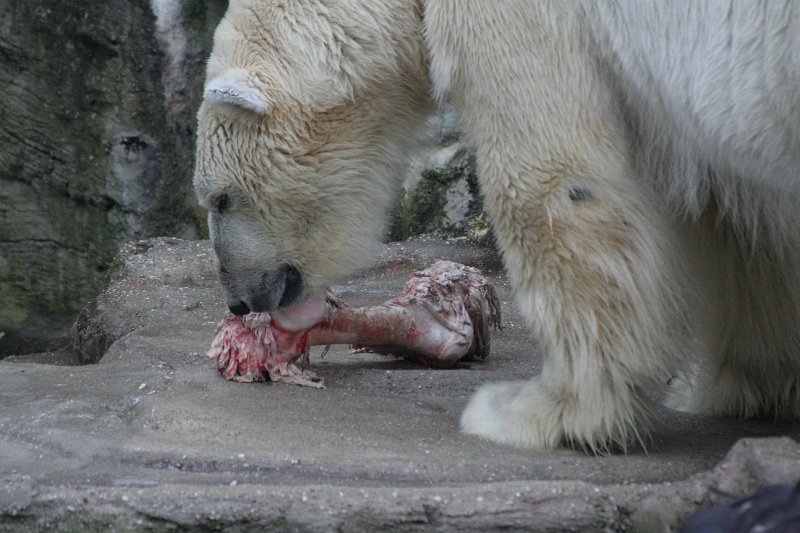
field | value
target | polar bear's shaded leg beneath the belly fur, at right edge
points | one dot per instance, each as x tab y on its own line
751	334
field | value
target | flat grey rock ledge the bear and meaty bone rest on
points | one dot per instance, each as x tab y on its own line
150	437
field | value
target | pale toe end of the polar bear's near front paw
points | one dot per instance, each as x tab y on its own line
514	413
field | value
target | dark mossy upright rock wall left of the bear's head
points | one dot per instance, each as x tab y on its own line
97	106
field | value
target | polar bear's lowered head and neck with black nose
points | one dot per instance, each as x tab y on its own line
307	110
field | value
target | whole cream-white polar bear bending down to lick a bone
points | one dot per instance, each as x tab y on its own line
640	162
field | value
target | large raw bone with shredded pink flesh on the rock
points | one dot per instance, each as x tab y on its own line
443	316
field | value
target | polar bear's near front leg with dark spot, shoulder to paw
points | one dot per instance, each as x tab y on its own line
588	246
